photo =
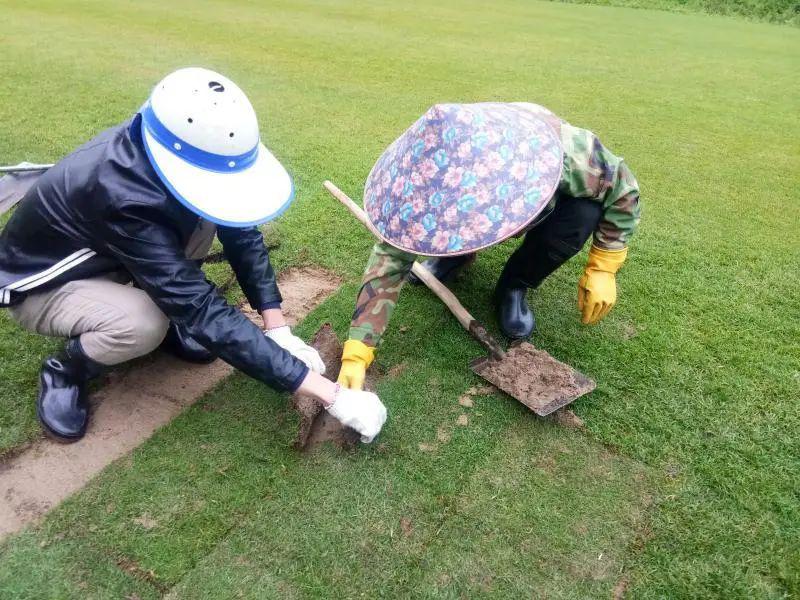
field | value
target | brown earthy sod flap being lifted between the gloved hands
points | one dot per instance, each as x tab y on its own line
316	425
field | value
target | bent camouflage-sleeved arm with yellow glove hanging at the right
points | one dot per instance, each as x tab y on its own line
592	171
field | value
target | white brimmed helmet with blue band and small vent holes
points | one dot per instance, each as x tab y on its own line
201	135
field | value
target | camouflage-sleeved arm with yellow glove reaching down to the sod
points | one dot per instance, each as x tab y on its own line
383	278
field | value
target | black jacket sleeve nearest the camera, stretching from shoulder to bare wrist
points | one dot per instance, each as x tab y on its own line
148	247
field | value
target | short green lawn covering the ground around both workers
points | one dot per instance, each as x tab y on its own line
684	483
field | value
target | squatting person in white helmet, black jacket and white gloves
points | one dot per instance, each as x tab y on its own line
140	204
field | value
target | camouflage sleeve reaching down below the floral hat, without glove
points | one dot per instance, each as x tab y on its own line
383	278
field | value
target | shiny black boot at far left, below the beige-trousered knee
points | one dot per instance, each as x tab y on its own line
62	405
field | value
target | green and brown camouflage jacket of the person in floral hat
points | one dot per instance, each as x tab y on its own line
590	171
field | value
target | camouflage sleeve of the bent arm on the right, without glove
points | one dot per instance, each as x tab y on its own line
593	171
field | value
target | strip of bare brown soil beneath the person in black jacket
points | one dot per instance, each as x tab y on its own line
135	402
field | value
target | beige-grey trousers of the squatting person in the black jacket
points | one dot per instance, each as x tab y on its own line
115	321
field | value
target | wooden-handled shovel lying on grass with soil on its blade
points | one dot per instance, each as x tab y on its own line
525	373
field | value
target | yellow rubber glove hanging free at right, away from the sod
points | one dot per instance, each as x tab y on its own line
597	288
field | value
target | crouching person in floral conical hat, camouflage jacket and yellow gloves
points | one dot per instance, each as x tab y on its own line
467	176
